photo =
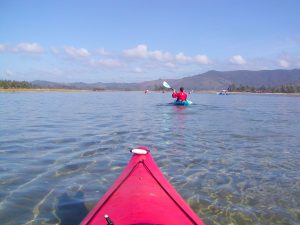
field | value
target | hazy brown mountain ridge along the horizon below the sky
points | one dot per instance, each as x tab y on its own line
210	80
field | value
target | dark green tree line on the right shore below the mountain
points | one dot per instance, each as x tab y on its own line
262	89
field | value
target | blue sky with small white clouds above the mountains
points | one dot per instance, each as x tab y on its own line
140	40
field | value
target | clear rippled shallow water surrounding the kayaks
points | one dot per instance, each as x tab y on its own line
235	159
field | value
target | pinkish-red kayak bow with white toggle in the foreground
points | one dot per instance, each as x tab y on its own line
141	195
